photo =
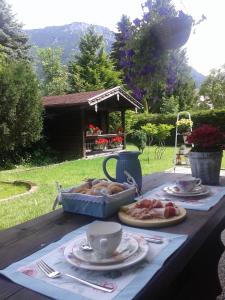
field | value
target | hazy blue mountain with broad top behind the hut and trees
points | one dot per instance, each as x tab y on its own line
67	37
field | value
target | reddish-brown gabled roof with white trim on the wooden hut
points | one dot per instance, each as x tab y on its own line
89	98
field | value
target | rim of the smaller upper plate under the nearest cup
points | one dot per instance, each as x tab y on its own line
109	262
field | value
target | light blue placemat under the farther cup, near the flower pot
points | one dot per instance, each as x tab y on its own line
197	203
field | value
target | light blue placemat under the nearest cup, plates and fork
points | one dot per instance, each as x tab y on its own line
127	282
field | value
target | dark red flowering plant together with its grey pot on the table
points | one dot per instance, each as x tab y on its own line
206	154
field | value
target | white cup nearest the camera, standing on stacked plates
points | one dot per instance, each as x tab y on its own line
104	237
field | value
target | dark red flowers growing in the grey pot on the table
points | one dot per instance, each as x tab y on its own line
206	138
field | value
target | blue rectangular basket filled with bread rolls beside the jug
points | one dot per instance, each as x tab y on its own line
96	197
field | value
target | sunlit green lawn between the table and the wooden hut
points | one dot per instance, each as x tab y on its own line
67	174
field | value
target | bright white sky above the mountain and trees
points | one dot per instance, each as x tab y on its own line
205	48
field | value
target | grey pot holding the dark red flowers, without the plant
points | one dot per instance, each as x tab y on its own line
206	166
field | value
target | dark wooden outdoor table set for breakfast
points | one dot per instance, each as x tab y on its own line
190	273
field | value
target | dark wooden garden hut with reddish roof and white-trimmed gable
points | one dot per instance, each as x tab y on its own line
67	118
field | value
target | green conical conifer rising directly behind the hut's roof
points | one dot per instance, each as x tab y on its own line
92	69
